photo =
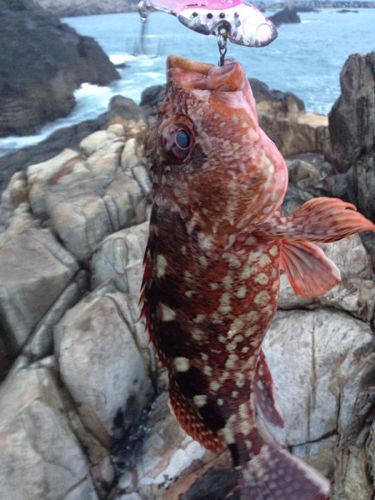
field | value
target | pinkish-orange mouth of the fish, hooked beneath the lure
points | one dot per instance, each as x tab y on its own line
194	75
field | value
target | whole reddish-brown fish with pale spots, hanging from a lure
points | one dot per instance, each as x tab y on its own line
218	241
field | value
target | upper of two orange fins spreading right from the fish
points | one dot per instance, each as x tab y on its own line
320	219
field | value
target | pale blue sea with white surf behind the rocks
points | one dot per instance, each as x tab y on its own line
305	59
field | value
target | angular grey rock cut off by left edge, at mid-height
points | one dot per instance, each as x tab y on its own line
34	270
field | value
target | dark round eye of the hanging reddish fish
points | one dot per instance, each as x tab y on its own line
177	142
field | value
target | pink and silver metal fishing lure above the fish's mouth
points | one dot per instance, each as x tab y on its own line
241	20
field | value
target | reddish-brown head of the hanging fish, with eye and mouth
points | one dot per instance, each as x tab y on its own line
208	150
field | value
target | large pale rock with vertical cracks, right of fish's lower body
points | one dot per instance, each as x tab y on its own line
323	392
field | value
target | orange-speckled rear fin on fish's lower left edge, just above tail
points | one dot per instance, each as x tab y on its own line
190	421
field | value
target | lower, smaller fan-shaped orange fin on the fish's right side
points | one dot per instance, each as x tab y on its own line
309	271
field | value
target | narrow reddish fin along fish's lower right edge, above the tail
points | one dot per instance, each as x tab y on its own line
265	393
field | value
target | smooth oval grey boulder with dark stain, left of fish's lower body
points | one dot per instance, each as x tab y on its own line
101	364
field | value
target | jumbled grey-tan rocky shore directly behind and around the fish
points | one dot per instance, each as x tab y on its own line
83	404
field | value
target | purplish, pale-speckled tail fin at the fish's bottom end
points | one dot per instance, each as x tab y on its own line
271	472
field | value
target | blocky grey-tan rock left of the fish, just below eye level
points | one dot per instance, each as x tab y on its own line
85	208
